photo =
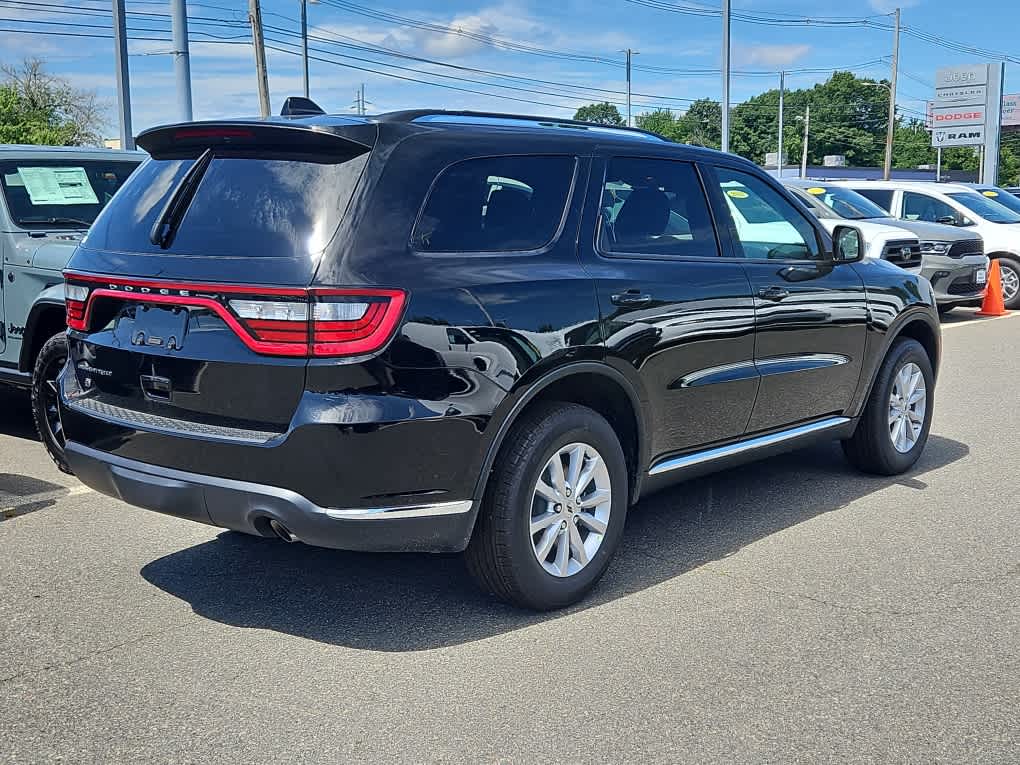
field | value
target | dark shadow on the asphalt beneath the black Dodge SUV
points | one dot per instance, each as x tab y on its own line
407	602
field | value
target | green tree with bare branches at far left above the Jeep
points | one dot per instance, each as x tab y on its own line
40	109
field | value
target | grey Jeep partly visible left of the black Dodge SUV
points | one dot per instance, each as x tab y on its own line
49	196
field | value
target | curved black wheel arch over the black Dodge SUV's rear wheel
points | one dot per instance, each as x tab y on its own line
591	384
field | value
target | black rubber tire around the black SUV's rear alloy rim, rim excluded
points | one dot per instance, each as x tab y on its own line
501	555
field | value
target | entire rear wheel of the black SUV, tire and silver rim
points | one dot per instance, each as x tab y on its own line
554	509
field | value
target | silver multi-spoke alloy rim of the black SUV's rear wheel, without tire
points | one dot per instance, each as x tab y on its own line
571	508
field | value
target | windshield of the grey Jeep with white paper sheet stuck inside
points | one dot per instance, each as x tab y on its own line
61	193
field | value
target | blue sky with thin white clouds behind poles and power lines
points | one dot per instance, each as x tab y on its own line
592	35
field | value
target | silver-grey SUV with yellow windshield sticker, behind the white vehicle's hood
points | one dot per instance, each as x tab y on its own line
953	260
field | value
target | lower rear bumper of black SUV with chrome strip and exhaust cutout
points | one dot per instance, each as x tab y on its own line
248	507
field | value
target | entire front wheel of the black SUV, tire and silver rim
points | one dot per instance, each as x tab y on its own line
894	428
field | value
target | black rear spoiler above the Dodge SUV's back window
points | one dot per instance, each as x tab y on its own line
191	139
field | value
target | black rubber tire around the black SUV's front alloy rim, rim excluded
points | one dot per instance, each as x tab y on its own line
871	448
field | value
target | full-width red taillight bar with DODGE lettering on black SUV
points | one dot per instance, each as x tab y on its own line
278	322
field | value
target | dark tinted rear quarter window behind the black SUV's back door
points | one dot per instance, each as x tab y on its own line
496	205
